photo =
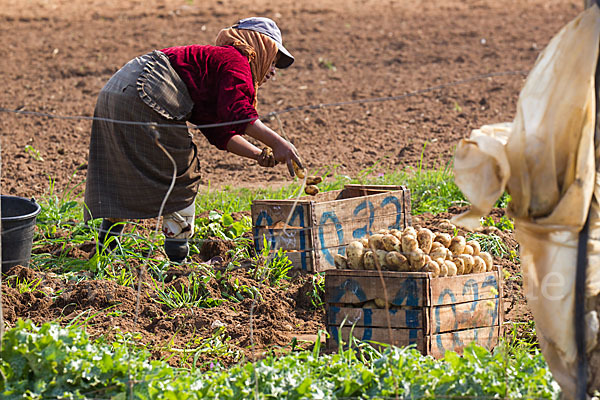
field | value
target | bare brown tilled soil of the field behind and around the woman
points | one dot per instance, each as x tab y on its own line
59	54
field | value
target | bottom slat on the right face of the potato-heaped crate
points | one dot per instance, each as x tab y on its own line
456	341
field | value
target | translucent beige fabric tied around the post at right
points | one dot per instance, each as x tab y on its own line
545	160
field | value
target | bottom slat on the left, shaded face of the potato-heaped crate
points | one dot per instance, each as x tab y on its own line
396	337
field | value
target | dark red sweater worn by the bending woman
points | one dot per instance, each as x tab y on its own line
220	84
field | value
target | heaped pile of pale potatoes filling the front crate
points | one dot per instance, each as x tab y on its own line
416	250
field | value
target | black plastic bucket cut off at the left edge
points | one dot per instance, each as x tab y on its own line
18	226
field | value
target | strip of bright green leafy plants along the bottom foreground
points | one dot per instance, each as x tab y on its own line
54	362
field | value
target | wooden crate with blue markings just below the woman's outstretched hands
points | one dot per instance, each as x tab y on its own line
323	225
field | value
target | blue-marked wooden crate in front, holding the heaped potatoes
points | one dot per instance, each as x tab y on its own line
435	314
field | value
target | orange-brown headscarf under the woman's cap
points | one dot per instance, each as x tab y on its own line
260	50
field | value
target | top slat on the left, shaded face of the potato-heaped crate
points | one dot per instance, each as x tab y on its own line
352	287
